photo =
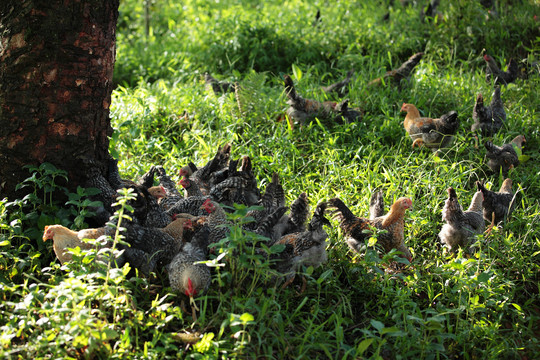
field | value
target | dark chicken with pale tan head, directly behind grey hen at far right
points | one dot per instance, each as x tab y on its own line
497	205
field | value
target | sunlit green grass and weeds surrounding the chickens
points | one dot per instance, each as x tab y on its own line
479	305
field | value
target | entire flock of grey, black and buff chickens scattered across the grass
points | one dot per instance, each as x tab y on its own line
177	230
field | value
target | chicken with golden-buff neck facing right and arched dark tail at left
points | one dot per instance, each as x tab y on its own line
358	229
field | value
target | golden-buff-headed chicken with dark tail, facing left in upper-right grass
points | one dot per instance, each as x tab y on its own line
433	133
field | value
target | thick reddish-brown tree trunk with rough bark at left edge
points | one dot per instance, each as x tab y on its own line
56	67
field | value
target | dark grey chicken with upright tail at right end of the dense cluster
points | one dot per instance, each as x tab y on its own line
304	248
